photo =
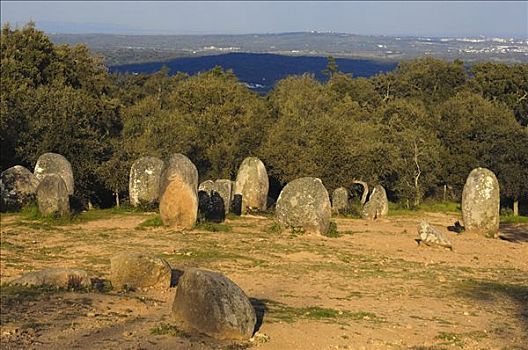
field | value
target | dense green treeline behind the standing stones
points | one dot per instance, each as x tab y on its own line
416	130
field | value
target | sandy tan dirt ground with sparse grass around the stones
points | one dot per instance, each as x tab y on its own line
372	287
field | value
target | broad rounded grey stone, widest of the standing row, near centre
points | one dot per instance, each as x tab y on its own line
304	204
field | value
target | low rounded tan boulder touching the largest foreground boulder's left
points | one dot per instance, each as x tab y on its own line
137	270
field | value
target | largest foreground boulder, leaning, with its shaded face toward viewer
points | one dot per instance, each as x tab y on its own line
210	303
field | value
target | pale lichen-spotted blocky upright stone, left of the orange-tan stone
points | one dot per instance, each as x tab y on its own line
144	181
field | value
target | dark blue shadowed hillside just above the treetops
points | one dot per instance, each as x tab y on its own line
261	71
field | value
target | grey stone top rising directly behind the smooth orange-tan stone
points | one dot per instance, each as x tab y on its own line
180	166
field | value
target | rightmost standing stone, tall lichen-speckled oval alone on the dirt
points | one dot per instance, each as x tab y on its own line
481	202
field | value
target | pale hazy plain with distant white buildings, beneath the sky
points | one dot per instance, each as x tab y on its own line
124	49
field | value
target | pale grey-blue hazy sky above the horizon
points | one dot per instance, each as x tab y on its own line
500	18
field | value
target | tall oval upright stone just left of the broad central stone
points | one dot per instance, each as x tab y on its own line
253	184
